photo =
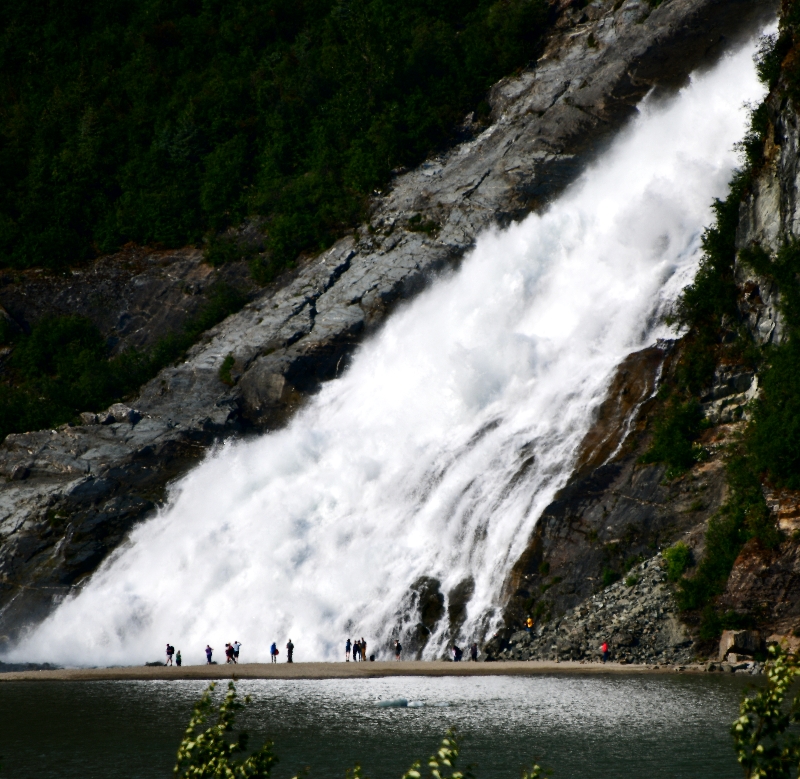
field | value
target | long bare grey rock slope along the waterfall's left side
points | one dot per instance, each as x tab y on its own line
69	496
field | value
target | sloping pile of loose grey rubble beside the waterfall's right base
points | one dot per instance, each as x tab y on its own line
637	617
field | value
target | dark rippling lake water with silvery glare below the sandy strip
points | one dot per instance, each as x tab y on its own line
583	727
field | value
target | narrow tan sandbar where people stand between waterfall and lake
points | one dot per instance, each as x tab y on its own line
338	670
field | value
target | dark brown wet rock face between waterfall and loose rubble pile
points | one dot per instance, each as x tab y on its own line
616	515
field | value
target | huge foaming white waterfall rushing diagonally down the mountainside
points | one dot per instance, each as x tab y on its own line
436	452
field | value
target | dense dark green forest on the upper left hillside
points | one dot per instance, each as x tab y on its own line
163	122
